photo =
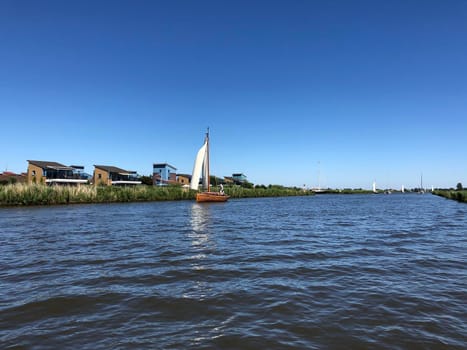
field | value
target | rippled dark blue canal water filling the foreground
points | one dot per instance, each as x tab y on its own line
320	272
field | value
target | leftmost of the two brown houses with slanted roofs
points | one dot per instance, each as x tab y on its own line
56	173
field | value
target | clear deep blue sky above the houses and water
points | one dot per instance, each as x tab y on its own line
294	91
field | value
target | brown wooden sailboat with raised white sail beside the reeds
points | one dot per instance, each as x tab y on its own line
201	169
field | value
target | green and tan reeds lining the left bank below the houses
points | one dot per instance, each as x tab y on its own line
39	194
